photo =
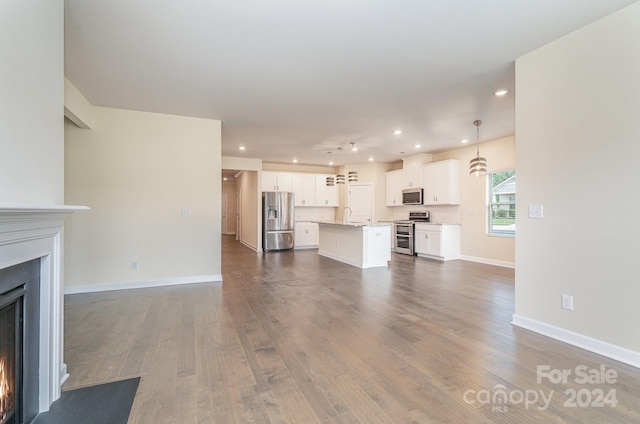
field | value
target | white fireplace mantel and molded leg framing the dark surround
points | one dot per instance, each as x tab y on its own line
30	232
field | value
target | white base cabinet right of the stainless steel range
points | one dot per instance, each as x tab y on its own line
437	241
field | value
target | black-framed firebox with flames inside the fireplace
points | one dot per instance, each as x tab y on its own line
11	356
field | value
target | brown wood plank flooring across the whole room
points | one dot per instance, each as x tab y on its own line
293	337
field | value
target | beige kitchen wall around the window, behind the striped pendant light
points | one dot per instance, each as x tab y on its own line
475	244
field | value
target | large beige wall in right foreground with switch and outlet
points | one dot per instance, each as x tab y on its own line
578	147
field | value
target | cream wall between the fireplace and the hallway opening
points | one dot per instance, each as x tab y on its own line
138	172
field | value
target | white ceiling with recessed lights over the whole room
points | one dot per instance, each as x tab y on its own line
297	79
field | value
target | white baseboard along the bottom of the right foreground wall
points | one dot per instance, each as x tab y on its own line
609	350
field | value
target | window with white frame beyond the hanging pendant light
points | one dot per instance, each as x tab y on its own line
502	204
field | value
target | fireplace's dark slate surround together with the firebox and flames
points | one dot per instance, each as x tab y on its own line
19	342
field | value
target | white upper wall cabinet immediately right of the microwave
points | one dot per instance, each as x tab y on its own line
442	183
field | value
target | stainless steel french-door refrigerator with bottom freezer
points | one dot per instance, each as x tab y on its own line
277	221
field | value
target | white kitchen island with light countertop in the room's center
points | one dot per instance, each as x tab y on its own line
361	245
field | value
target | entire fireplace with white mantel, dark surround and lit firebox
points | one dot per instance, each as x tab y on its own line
31	303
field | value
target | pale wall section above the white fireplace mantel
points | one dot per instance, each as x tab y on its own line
31	122
